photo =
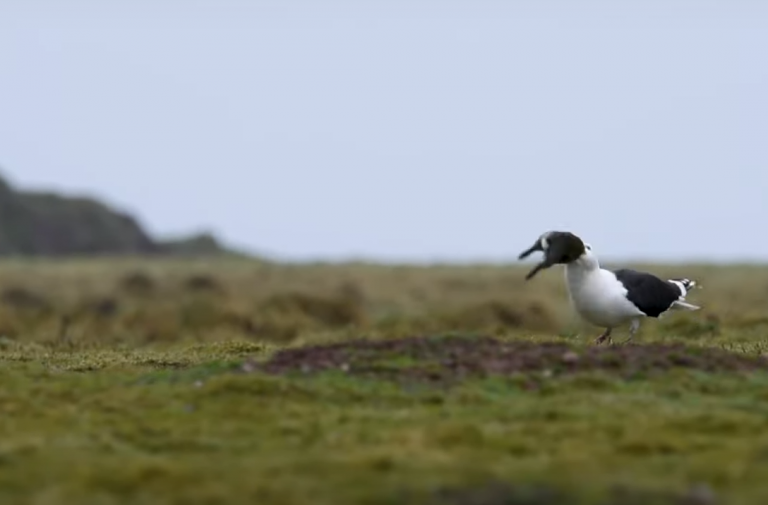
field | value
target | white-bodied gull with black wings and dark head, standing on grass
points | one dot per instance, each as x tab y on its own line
608	298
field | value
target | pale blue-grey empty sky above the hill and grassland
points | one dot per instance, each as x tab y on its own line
401	130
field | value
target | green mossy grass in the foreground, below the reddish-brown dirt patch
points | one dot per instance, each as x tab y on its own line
159	427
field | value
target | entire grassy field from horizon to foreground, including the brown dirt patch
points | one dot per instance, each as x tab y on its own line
187	382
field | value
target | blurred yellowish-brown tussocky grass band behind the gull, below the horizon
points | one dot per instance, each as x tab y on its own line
153	301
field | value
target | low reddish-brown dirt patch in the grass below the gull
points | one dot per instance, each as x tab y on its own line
444	359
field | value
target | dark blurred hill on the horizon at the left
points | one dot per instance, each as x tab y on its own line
49	224
